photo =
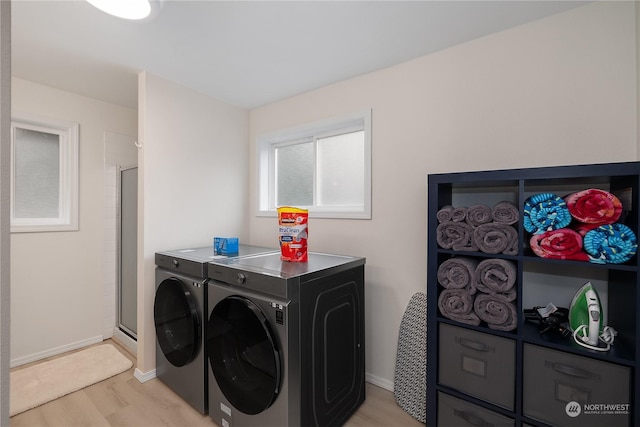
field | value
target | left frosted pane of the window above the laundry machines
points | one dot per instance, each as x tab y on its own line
294	174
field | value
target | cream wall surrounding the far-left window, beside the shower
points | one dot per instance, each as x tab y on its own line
57	277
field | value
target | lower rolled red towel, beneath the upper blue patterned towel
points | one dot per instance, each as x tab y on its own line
563	243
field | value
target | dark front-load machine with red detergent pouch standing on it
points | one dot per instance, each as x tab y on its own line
285	340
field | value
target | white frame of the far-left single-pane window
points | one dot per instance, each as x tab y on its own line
68	133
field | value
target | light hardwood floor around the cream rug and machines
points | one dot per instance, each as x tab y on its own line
123	401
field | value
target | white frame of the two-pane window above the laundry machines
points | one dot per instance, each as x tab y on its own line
266	174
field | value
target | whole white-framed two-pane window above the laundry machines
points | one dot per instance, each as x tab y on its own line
324	167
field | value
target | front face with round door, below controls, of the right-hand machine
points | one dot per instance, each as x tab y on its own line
248	357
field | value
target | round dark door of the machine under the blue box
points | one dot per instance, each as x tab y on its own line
178	326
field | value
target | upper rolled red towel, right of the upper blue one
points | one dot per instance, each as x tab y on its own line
594	206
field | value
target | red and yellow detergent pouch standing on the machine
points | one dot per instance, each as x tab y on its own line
292	233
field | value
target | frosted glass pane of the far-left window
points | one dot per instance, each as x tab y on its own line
37	174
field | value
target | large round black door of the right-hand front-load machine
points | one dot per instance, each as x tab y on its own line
244	355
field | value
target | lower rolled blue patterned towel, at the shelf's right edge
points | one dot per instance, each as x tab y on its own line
610	244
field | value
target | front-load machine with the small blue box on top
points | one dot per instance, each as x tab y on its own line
179	309
